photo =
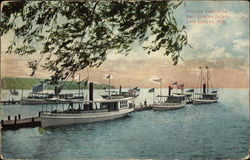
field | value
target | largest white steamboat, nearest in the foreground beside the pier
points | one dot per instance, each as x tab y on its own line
88	111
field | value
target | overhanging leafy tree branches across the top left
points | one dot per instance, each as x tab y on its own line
70	36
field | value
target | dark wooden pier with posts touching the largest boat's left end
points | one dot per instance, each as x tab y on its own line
17	122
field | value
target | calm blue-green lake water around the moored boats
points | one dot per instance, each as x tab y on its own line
218	130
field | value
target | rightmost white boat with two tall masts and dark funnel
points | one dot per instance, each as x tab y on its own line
206	94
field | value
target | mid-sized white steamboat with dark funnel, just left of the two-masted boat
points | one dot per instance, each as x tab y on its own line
170	102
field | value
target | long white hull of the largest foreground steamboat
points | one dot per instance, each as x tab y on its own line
58	119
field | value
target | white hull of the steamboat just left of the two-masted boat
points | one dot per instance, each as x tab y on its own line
168	106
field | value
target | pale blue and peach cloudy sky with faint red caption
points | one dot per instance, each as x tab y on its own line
218	32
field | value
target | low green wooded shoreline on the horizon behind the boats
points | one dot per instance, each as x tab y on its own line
28	83
